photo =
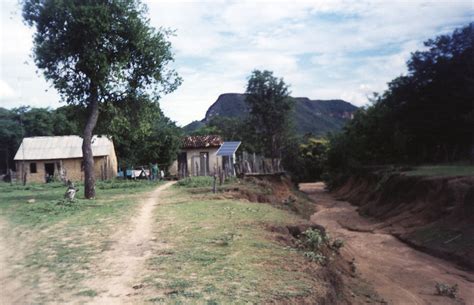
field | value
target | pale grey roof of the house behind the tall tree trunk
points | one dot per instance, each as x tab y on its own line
60	147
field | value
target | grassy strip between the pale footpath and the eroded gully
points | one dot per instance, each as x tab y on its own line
218	251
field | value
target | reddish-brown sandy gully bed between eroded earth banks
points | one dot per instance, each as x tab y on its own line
400	274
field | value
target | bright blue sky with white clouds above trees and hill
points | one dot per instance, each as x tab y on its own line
332	49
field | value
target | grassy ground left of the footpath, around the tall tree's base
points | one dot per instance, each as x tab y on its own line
54	240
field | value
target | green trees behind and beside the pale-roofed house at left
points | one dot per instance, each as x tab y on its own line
141	133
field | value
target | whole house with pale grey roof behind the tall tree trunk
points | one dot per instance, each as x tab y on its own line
40	159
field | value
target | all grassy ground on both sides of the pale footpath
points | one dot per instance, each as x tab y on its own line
207	249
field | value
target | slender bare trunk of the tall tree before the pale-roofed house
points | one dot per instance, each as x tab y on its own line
88	158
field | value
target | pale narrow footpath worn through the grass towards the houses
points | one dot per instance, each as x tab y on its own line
131	247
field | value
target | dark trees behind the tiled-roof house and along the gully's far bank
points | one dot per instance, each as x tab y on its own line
426	116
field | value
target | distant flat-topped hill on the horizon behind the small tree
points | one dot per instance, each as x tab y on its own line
310	116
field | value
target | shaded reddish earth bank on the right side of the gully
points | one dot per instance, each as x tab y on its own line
434	214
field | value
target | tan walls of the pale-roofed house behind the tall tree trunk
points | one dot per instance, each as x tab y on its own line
105	167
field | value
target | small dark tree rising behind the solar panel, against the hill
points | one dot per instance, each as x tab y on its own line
270	106
